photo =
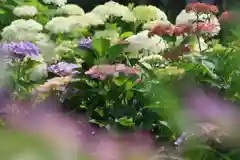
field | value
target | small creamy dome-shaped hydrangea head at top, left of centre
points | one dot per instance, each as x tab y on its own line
70	9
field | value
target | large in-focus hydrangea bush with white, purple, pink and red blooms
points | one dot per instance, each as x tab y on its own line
118	65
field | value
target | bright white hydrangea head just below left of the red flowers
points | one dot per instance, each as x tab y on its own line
141	41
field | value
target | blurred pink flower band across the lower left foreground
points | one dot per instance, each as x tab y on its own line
70	138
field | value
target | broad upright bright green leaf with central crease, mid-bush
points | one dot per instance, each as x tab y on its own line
100	45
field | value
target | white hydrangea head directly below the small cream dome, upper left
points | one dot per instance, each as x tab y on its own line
61	25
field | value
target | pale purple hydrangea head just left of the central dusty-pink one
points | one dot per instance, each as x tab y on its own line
63	68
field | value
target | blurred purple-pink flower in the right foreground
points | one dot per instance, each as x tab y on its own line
209	115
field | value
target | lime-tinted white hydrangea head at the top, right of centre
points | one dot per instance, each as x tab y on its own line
149	13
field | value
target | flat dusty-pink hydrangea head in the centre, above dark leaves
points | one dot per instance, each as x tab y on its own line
105	70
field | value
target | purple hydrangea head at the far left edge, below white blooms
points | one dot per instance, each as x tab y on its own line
22	49
